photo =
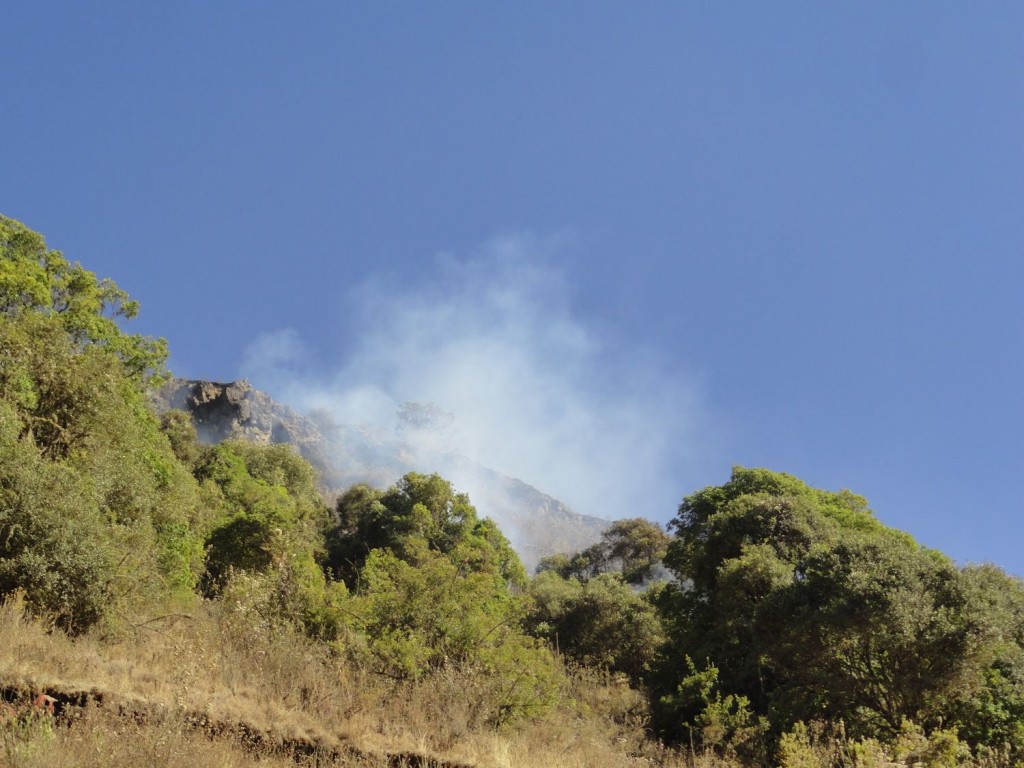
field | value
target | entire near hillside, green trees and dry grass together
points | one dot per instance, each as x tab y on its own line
190	605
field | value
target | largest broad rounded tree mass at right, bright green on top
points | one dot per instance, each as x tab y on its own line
810	609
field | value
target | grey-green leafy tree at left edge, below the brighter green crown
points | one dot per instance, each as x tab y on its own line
96	514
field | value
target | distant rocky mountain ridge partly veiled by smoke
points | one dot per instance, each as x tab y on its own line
537	524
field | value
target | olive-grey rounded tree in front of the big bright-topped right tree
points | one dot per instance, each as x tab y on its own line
887	634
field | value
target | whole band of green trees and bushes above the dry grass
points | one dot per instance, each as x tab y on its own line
775	623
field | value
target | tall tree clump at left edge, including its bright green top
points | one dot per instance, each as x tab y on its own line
96	513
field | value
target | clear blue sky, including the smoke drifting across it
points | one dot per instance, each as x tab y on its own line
628	245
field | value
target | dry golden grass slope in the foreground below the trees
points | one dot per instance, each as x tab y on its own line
224	688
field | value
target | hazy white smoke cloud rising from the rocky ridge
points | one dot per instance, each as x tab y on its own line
533	393
